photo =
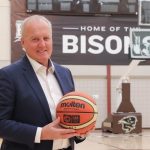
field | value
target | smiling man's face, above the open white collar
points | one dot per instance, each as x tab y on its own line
37	41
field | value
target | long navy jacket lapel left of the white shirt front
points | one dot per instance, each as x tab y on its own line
34	83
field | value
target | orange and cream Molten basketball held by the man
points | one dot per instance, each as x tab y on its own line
77	110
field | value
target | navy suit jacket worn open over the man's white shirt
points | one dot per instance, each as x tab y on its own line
23	105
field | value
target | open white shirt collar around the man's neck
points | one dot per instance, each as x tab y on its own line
36	66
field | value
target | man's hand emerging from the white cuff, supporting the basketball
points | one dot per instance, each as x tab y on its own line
53	131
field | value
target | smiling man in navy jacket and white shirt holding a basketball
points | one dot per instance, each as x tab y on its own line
30	90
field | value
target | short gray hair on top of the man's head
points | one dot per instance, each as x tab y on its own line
34	18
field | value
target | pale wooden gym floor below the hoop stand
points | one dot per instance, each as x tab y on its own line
98	140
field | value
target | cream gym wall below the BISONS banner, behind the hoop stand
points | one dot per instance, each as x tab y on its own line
92	79
